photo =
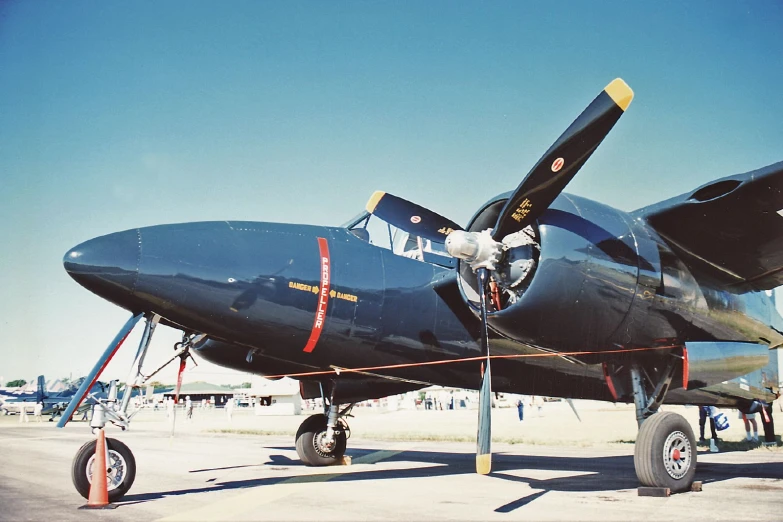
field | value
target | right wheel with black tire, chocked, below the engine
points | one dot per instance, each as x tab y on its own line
665	452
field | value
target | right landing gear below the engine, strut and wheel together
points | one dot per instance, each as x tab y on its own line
665	450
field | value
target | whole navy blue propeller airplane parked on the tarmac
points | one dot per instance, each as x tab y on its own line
562	296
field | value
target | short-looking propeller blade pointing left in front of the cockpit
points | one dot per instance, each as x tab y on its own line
410	217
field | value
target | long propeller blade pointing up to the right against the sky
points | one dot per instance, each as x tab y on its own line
563	160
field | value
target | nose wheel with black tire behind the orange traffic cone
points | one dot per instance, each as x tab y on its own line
121	461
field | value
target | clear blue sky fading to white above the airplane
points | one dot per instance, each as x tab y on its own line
119	115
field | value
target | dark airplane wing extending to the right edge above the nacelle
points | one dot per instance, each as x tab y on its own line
731	227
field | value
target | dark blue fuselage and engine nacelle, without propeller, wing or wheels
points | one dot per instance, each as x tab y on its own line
285	299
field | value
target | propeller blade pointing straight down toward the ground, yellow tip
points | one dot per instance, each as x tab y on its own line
484	435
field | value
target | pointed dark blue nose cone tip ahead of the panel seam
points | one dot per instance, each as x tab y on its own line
107	265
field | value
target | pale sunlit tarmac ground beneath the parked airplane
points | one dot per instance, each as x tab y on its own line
210	476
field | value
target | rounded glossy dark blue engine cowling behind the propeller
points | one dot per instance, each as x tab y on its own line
576	291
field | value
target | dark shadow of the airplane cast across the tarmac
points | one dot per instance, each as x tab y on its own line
596	474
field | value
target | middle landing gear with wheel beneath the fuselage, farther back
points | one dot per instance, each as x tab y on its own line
321	439
